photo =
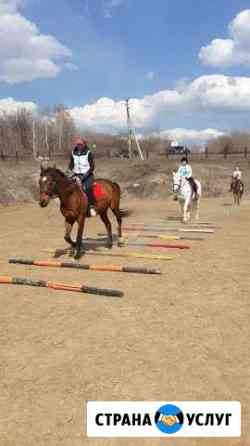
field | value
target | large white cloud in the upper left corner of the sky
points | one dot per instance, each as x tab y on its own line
25	53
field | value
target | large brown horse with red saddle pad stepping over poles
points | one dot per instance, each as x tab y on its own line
74	204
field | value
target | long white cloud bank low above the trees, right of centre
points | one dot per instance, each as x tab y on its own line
216	93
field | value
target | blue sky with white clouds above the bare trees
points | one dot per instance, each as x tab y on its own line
184	65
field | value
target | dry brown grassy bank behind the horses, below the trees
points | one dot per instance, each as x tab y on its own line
148	179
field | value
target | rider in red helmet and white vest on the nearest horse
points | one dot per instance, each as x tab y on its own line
82	165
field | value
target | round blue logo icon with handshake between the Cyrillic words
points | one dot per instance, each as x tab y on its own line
169	419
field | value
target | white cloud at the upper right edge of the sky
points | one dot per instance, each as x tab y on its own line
234	50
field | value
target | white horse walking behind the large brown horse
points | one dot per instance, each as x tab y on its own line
183	190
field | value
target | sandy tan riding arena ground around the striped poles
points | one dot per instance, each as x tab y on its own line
183	335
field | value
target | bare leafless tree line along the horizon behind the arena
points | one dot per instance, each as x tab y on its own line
50	132
